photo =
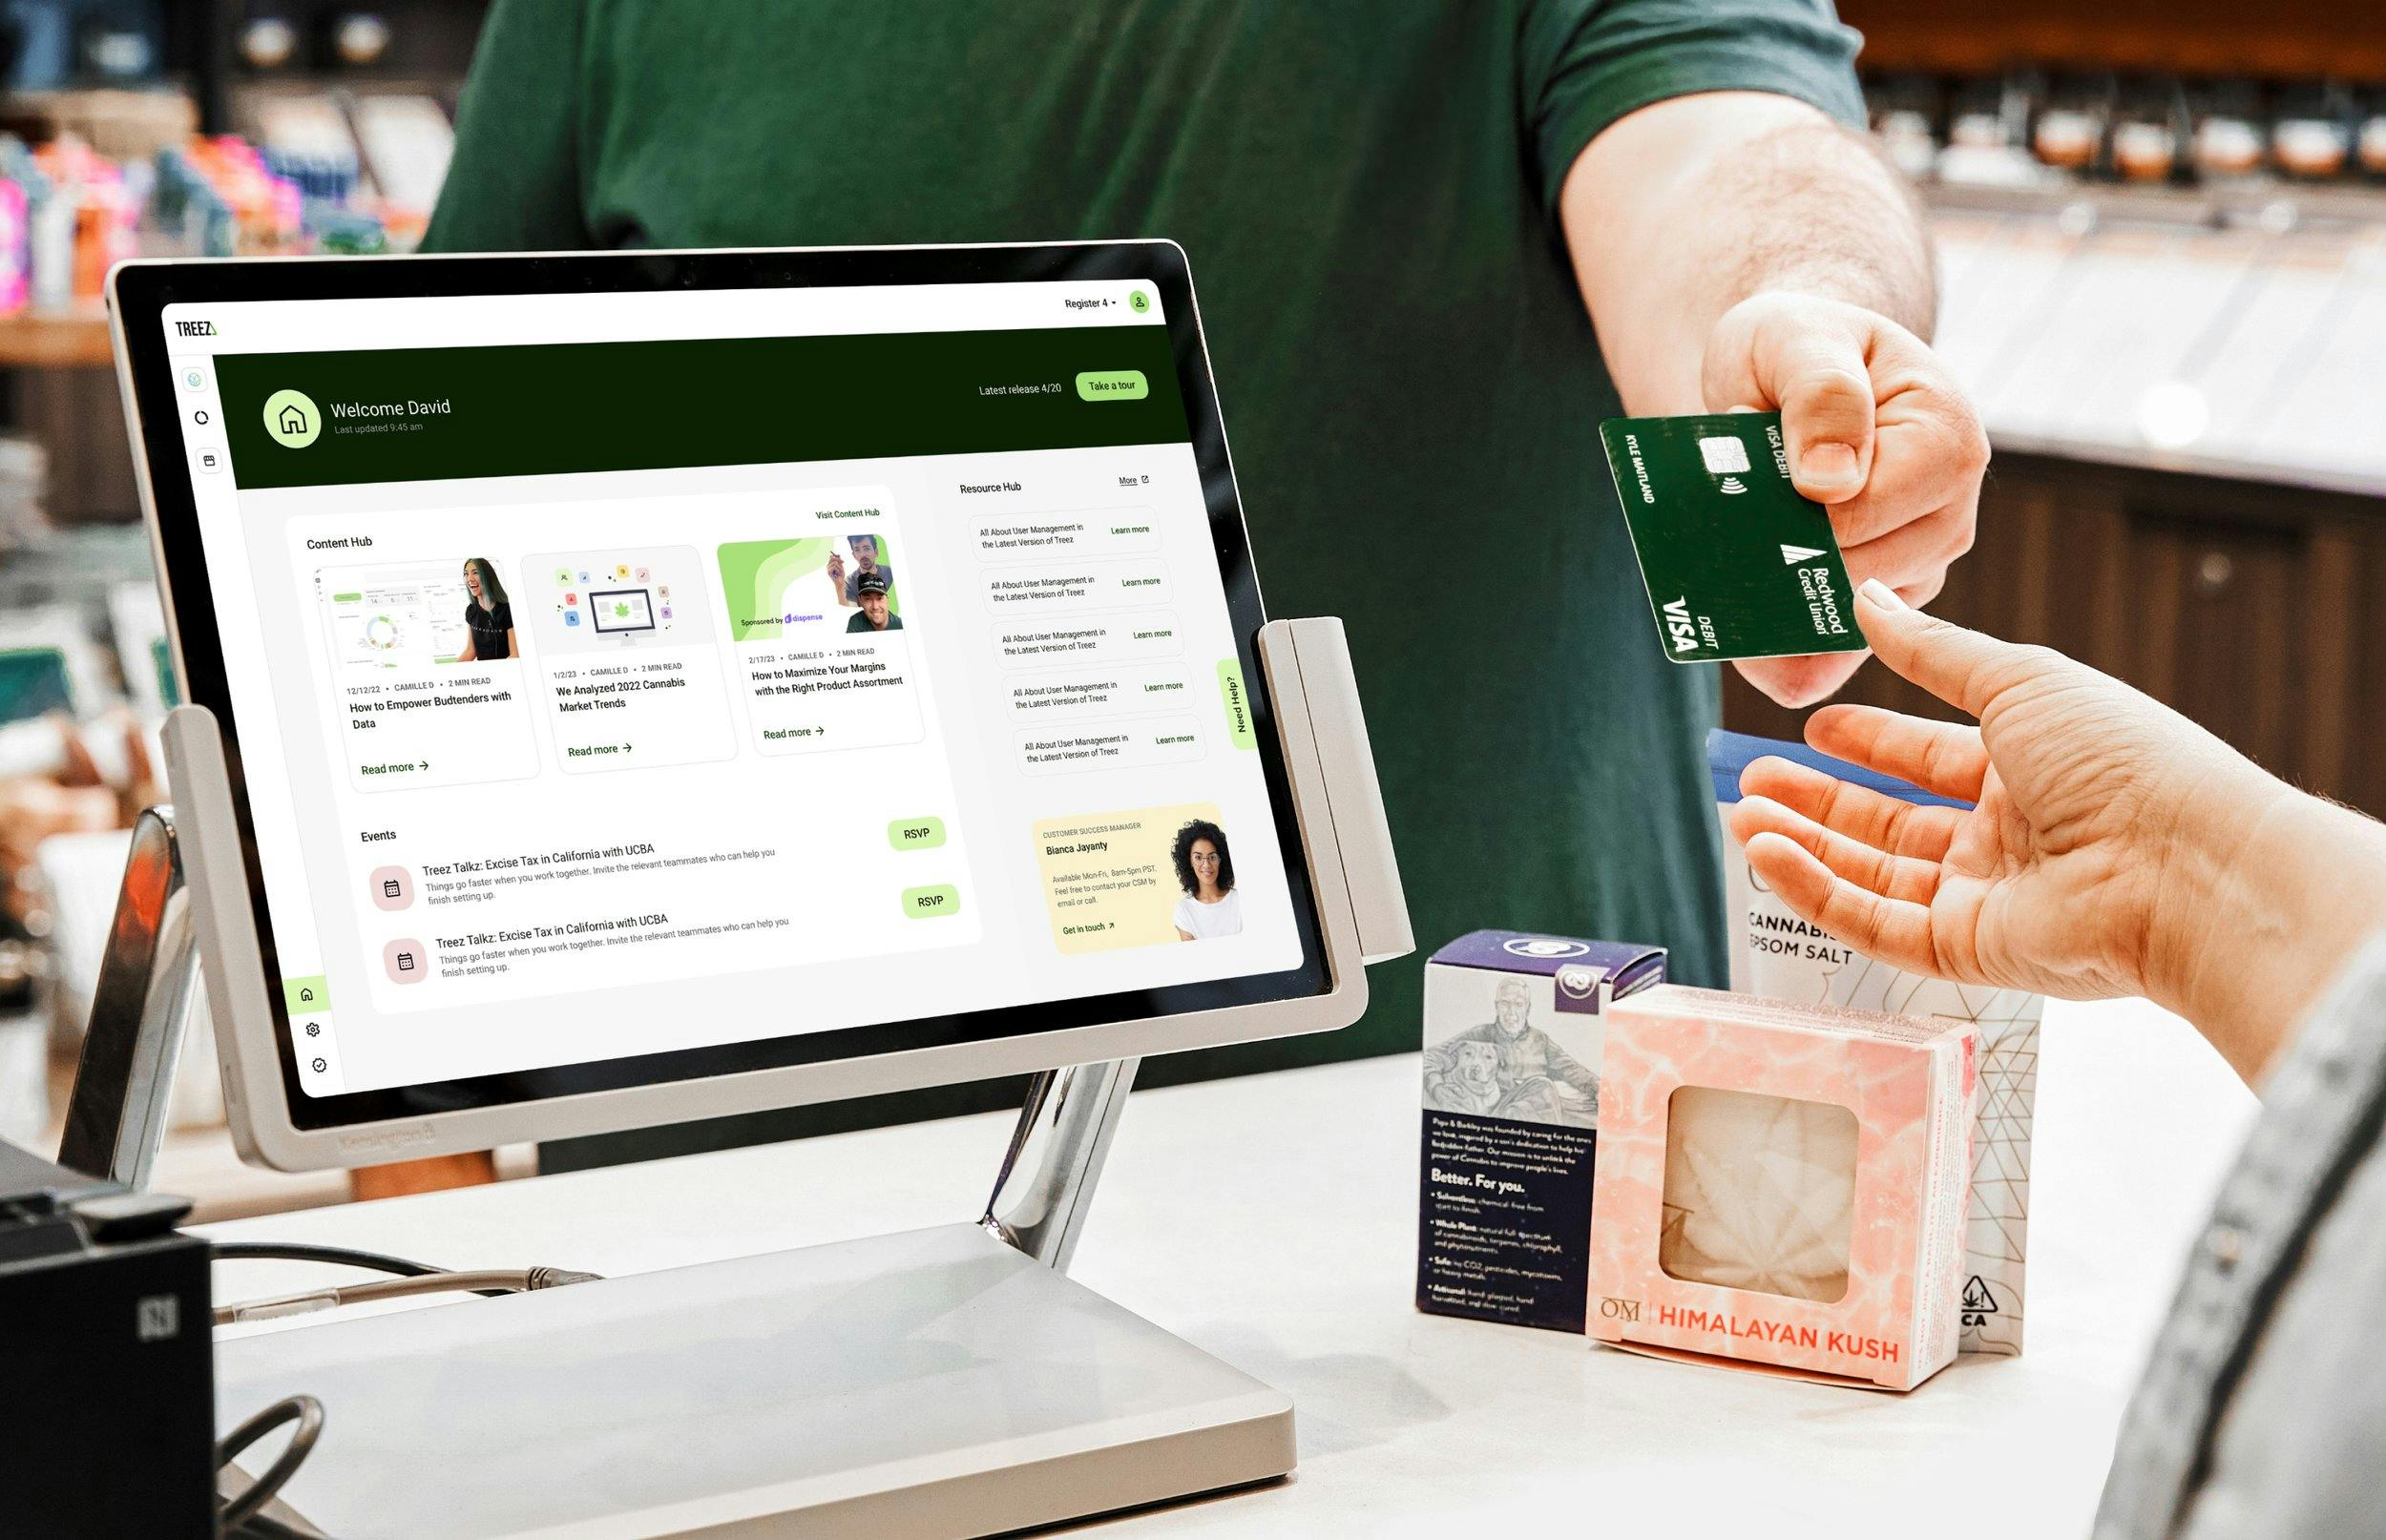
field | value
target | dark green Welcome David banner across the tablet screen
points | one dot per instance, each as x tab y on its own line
521	411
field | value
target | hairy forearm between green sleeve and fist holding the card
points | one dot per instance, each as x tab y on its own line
1686	209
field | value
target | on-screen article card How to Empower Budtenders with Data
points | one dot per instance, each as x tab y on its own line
428	669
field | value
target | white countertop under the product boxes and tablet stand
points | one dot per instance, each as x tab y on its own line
1275	1219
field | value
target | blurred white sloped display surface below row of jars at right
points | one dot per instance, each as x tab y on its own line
2215	349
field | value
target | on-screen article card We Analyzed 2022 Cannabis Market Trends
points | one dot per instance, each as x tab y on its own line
633	669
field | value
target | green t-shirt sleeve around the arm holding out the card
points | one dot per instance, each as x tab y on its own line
1585	63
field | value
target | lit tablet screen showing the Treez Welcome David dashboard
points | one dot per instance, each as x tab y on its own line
622	676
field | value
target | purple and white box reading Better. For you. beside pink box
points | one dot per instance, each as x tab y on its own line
1514	1041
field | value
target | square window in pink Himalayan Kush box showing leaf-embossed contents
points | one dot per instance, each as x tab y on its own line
1760	1193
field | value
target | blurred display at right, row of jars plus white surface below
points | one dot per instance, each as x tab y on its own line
2153	271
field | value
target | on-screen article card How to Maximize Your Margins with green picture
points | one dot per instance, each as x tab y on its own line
820	633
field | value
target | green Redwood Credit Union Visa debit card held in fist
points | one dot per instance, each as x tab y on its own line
1736	561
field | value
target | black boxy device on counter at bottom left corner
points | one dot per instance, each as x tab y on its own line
106	1360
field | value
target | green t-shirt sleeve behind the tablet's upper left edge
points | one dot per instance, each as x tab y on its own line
514	182
